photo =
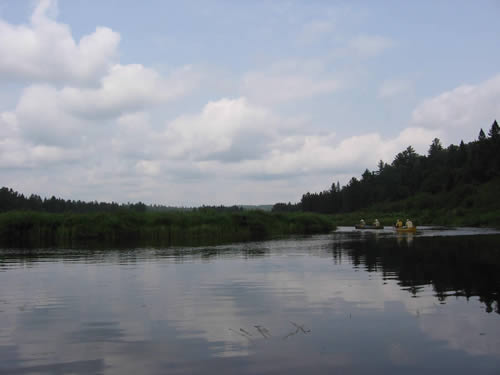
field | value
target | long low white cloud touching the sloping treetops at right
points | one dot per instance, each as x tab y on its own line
301	155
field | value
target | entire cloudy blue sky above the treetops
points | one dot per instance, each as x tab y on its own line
234	102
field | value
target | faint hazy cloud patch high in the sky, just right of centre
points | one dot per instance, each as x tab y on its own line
288	81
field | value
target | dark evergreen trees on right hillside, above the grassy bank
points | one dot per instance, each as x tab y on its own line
456	169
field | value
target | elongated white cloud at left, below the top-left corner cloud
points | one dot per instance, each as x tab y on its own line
65	117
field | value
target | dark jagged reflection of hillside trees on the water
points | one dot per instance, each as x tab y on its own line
465	266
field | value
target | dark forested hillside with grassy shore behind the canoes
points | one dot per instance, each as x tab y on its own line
457	185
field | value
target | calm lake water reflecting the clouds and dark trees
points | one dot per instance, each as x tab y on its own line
349	303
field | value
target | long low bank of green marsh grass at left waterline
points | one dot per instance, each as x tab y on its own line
200	227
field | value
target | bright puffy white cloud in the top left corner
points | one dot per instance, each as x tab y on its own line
45	50
